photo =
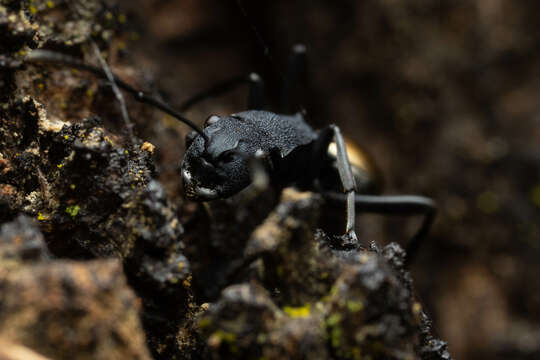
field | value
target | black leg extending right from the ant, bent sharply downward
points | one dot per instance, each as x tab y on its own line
407	205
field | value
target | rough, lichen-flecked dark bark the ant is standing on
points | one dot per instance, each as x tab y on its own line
248	277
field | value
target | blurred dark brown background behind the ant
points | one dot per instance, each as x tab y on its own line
443	94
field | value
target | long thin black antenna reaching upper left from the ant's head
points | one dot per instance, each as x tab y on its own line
40	56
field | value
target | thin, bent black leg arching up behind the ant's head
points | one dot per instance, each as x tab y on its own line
255	101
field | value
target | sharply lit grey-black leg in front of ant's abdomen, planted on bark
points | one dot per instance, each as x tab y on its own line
347	180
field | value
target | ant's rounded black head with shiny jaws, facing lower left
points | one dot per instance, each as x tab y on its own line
217	167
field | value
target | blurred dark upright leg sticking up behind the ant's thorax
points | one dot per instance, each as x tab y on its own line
296	74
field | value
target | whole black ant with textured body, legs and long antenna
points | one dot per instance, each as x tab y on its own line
219	159
